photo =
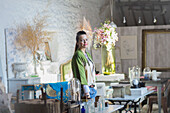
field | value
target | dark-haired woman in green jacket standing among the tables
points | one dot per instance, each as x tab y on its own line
83	66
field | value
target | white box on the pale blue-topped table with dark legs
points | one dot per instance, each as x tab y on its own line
138	91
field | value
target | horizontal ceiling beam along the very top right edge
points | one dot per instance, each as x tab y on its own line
142	3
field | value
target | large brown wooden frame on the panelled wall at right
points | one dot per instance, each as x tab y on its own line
155	49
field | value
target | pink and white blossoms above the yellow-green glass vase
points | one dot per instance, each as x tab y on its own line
105	35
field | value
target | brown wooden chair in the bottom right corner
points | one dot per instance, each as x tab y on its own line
153	99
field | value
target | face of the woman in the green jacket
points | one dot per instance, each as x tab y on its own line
83	42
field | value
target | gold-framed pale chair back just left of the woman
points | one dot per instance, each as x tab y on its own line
66	71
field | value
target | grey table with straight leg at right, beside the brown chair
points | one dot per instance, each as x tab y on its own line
159	83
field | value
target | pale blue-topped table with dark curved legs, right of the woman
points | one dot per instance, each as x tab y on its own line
128	98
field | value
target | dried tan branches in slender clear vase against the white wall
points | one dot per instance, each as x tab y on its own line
32	36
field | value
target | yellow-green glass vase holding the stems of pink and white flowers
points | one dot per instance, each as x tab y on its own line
108	60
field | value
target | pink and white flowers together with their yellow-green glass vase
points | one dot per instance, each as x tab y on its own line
106	37
